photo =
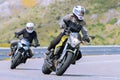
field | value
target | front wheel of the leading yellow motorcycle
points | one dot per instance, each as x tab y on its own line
62	66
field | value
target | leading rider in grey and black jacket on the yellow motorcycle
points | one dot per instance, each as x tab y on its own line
77	22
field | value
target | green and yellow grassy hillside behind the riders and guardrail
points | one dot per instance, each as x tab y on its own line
47	18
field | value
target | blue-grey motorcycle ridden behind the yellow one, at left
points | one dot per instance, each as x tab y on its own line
20	52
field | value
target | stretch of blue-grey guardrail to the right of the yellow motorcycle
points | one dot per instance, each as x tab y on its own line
106	49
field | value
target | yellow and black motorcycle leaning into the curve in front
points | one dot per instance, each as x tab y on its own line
65	53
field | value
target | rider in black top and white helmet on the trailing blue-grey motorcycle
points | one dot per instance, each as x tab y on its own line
28	33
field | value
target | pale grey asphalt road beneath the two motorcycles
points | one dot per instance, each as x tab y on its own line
92	67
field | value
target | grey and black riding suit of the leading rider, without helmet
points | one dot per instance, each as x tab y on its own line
76	25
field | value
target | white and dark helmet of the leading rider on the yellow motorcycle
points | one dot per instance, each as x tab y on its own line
79	12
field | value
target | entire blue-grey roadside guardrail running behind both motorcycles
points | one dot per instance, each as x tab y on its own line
89	50
